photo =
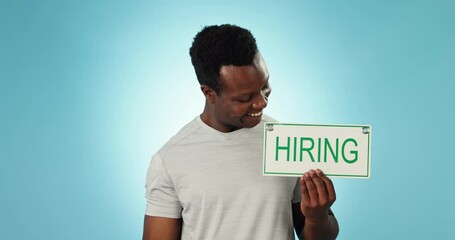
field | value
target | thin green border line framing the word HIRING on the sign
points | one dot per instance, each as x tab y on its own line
319	125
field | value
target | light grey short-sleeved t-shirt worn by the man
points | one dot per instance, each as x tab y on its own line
214	182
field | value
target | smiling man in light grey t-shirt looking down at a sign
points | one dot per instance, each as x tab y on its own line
206	182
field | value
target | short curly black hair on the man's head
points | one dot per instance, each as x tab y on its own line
216	46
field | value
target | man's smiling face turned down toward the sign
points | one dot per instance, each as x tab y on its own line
243	95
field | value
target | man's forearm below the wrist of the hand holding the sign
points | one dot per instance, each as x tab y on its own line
325	230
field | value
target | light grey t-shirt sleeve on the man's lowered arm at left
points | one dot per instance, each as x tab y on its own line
162	200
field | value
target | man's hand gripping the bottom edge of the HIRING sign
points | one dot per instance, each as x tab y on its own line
318	194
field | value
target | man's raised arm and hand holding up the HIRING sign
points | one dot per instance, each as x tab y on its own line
313	218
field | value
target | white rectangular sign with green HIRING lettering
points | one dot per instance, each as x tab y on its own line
338	150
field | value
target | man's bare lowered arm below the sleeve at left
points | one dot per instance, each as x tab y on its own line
160	228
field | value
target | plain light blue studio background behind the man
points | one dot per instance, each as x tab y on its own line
91	89
